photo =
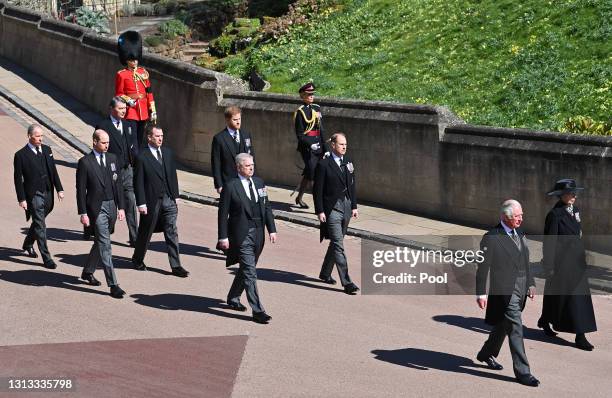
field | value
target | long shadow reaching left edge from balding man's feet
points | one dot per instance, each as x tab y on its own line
46	278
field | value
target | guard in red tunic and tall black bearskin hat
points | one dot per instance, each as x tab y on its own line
132	83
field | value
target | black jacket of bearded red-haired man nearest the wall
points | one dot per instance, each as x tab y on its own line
223	155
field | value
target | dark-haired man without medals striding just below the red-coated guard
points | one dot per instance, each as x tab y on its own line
156	193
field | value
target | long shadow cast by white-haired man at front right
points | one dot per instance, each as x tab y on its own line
416	358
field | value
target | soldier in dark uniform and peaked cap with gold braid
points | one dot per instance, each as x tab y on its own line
309	133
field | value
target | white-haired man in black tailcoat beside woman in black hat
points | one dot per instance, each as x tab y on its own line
506	256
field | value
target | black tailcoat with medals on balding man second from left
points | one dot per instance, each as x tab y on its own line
90	183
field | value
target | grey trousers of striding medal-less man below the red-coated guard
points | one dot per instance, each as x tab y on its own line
166	209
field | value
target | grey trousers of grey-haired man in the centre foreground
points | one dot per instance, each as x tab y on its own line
246	276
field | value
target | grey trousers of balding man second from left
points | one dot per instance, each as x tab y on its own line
101	251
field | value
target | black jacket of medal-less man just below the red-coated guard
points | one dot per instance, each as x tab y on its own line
149	177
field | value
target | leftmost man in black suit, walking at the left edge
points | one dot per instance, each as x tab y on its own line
35	177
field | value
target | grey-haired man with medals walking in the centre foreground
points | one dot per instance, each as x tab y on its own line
244	209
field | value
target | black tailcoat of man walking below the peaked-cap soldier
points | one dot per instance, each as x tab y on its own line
330	184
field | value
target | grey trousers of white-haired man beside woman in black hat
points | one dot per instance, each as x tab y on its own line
512	326
